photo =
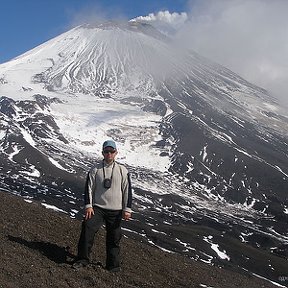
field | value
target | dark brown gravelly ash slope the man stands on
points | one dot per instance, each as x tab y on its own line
33	241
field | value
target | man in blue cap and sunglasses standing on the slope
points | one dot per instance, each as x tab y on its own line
108	199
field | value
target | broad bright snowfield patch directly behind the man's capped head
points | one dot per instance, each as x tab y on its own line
86	122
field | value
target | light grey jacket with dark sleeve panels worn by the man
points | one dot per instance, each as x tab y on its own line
118	196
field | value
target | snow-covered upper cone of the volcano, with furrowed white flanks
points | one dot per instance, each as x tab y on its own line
99	60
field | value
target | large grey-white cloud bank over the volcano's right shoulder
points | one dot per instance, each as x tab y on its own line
248	36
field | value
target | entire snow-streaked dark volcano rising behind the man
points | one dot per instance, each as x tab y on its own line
205	147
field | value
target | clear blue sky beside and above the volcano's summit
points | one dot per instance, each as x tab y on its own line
24	24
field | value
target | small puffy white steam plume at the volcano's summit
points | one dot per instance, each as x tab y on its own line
166	22
